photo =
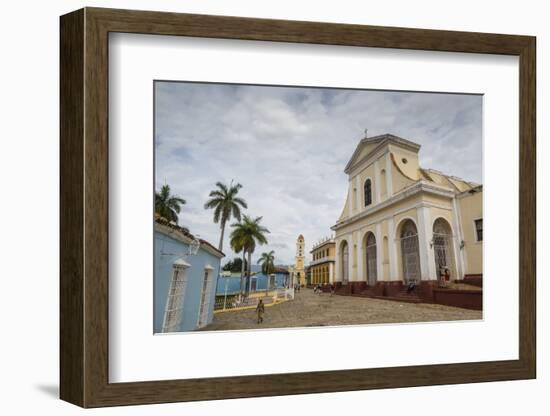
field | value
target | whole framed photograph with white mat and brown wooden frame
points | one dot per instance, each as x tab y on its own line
255	207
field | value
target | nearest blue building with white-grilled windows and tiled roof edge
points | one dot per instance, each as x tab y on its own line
185	276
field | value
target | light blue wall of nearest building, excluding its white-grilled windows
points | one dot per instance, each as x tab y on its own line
163	274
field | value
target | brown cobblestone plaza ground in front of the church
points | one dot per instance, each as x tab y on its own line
310	309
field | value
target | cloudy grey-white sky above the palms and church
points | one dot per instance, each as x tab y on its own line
288	148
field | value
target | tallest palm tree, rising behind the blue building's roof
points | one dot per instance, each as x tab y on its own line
225	203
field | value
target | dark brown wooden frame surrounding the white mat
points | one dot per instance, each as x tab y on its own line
84	207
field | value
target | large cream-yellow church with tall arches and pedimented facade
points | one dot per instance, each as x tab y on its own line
403	224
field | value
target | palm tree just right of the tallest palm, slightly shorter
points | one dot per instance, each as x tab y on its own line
244	237
